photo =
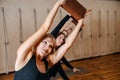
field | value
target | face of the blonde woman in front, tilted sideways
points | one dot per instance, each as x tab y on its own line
45	47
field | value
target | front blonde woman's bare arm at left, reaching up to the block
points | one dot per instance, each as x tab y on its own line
26	47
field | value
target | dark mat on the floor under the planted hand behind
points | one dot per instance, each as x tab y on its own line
70	72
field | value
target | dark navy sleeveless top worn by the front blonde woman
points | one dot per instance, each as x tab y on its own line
30	71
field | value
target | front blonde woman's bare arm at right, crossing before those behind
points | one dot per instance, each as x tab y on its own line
63	49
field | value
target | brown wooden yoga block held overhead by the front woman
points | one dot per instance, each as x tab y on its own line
74	8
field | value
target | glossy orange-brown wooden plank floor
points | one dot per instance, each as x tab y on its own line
99	68
